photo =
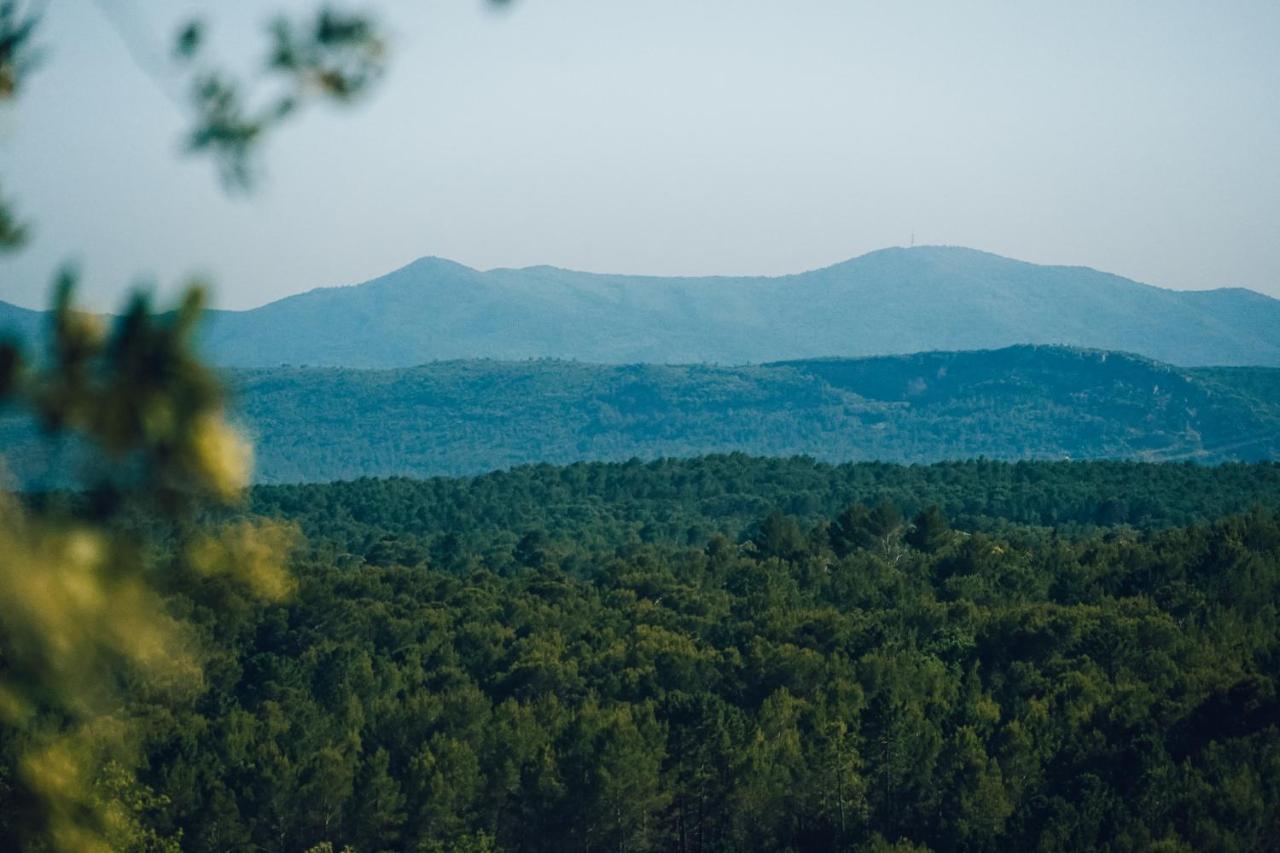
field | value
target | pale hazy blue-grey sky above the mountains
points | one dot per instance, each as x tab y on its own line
675	138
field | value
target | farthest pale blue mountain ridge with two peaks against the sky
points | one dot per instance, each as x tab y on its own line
886	303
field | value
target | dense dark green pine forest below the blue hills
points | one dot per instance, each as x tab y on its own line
732	654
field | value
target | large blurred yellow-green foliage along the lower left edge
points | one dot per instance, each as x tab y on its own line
86	631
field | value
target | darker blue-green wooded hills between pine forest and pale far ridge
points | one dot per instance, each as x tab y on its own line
472	417
